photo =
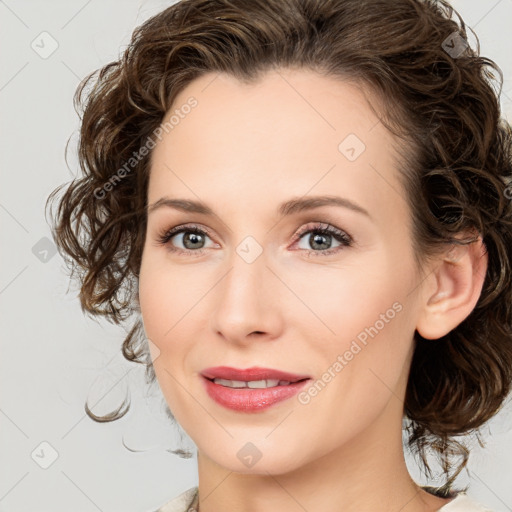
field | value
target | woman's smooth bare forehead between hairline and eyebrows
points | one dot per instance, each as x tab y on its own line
290	133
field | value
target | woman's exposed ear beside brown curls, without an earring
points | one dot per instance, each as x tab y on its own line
452	289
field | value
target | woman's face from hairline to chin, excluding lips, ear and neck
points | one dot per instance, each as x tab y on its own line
263	287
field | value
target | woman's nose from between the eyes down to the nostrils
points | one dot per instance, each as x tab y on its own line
247	302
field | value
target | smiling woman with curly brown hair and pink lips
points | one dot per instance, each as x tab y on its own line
306	207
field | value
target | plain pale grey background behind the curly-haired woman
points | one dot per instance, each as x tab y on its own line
52	356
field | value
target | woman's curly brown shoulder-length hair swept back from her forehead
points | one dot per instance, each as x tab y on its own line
437	94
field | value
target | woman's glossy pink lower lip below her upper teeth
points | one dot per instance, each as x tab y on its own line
251	399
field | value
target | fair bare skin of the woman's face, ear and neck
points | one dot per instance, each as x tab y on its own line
243	150
